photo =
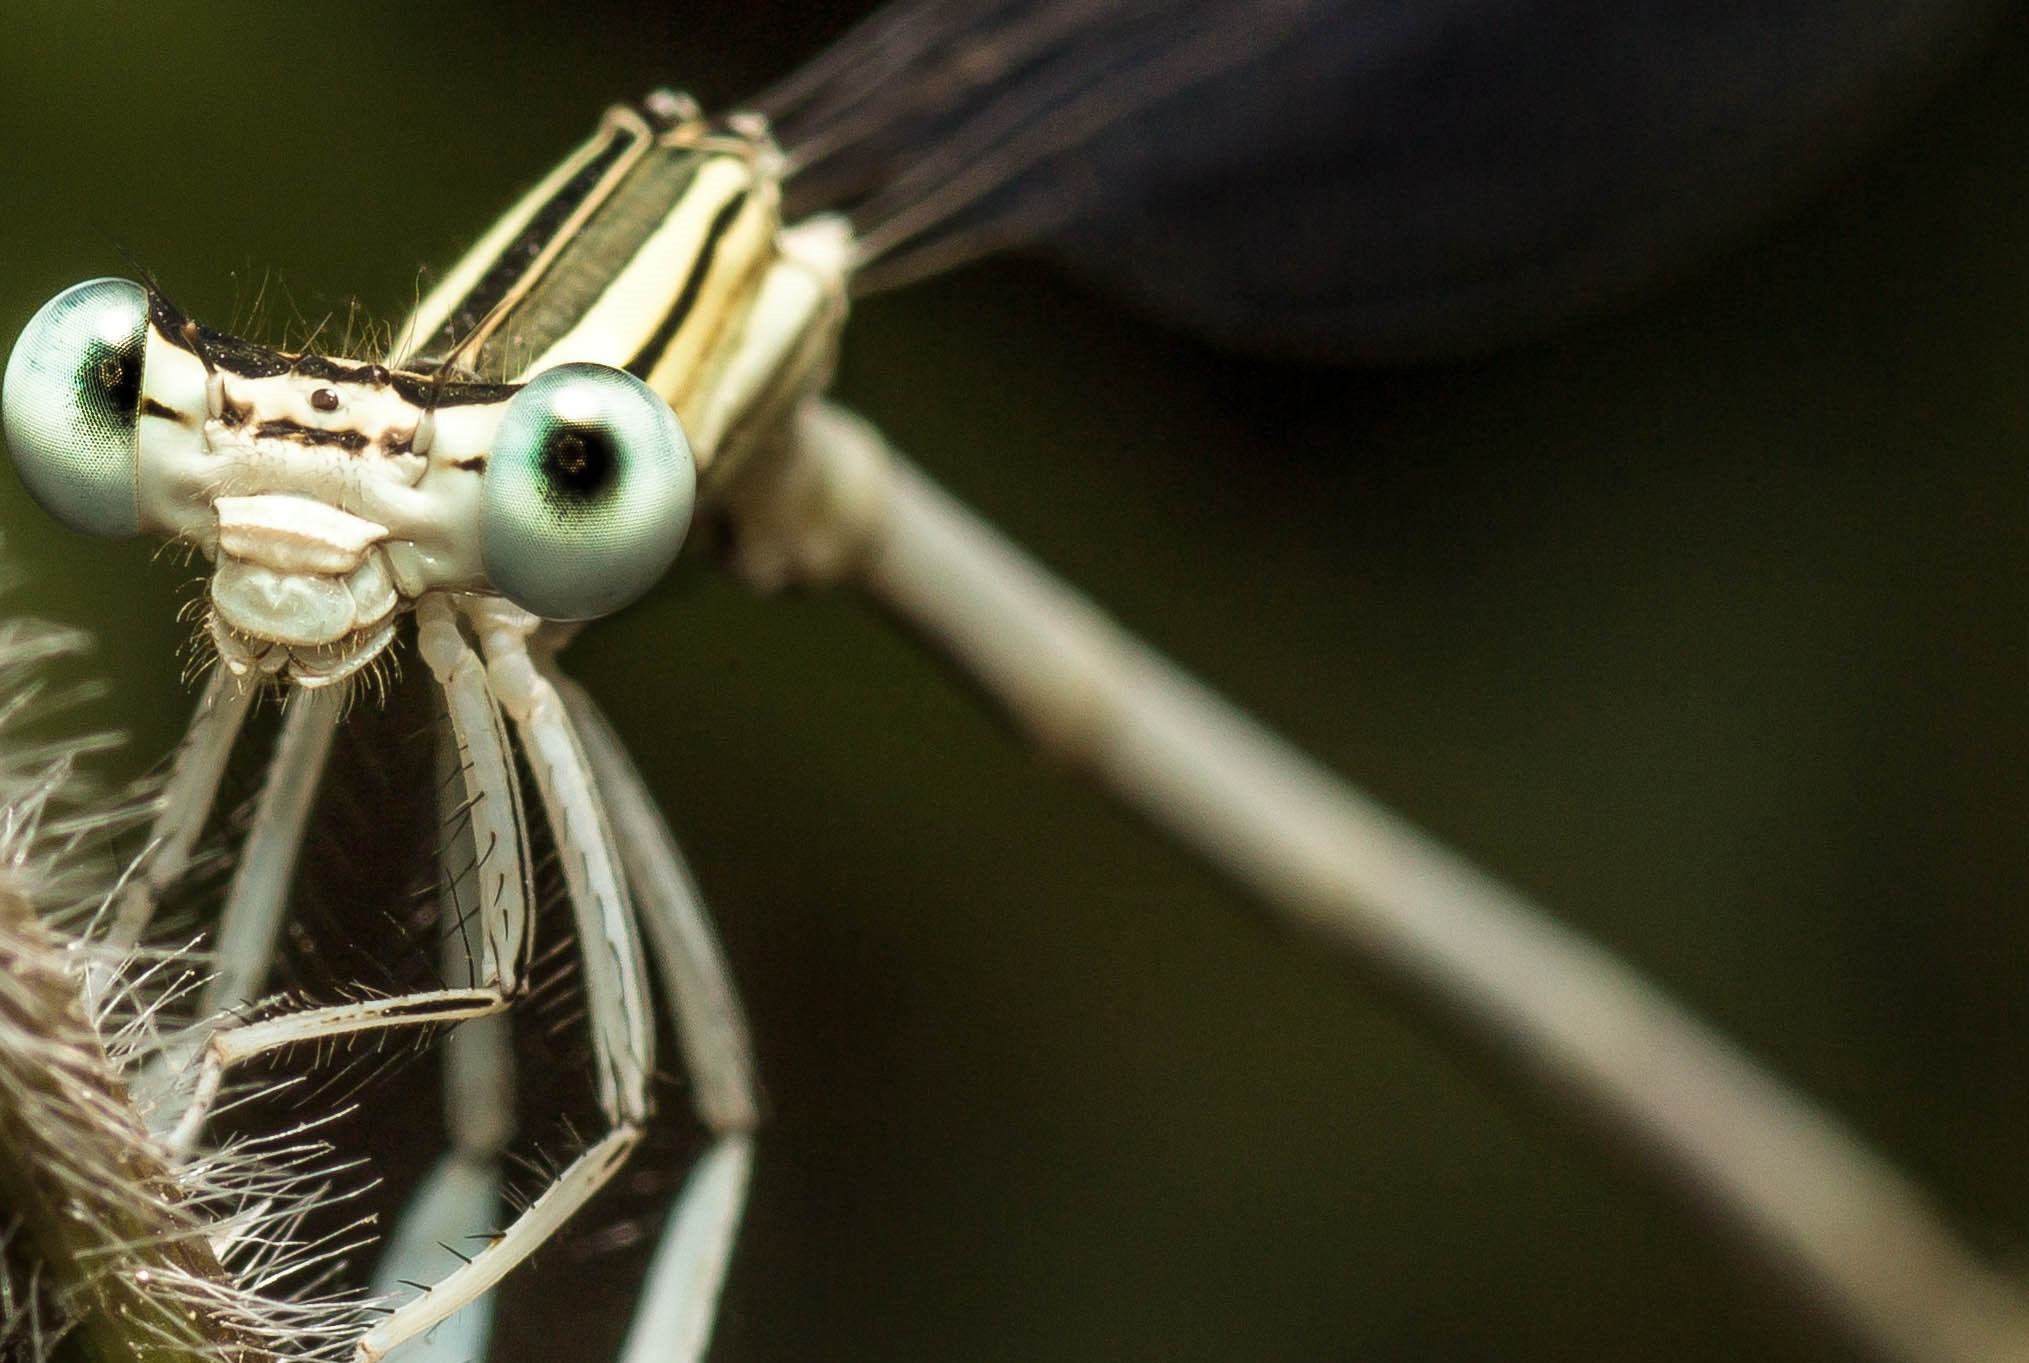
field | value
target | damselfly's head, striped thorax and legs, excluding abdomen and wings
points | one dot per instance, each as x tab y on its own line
500	490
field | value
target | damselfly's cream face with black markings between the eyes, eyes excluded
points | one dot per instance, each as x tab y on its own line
326	500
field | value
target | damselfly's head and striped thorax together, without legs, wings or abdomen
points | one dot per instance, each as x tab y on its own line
537	433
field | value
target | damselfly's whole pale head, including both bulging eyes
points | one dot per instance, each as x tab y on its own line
332	496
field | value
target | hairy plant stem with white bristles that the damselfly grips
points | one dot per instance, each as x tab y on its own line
102	1238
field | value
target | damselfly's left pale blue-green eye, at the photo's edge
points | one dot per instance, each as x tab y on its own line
72	405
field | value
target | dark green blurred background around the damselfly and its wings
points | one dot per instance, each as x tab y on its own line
1703	624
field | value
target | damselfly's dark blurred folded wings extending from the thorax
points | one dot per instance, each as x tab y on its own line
1350	177
